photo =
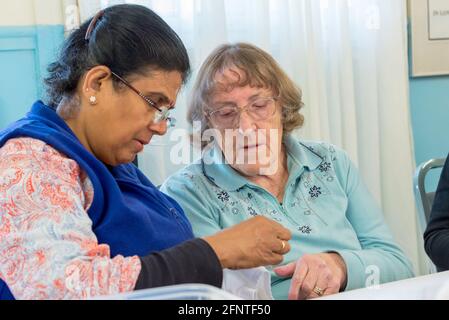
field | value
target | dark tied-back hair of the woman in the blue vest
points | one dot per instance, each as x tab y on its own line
129	39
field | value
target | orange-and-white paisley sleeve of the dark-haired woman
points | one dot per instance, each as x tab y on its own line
47	247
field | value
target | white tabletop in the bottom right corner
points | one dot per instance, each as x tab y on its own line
434	286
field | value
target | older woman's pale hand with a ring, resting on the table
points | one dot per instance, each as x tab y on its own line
315	275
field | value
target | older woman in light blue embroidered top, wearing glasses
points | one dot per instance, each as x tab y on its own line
340	240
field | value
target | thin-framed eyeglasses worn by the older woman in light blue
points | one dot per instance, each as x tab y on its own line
228	116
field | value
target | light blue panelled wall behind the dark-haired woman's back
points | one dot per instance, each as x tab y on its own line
25	53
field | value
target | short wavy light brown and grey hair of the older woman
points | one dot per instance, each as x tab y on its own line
257	69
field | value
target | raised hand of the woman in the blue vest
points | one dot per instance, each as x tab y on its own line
252	243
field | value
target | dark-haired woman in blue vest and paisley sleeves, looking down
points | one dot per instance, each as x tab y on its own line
77	220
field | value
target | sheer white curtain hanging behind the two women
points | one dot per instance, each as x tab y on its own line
350	59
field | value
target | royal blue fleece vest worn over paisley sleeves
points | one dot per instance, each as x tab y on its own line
128	212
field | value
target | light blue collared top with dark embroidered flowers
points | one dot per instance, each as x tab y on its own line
326	207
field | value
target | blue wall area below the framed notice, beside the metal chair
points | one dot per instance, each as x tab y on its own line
429	100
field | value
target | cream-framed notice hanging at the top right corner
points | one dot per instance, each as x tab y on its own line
429	37
